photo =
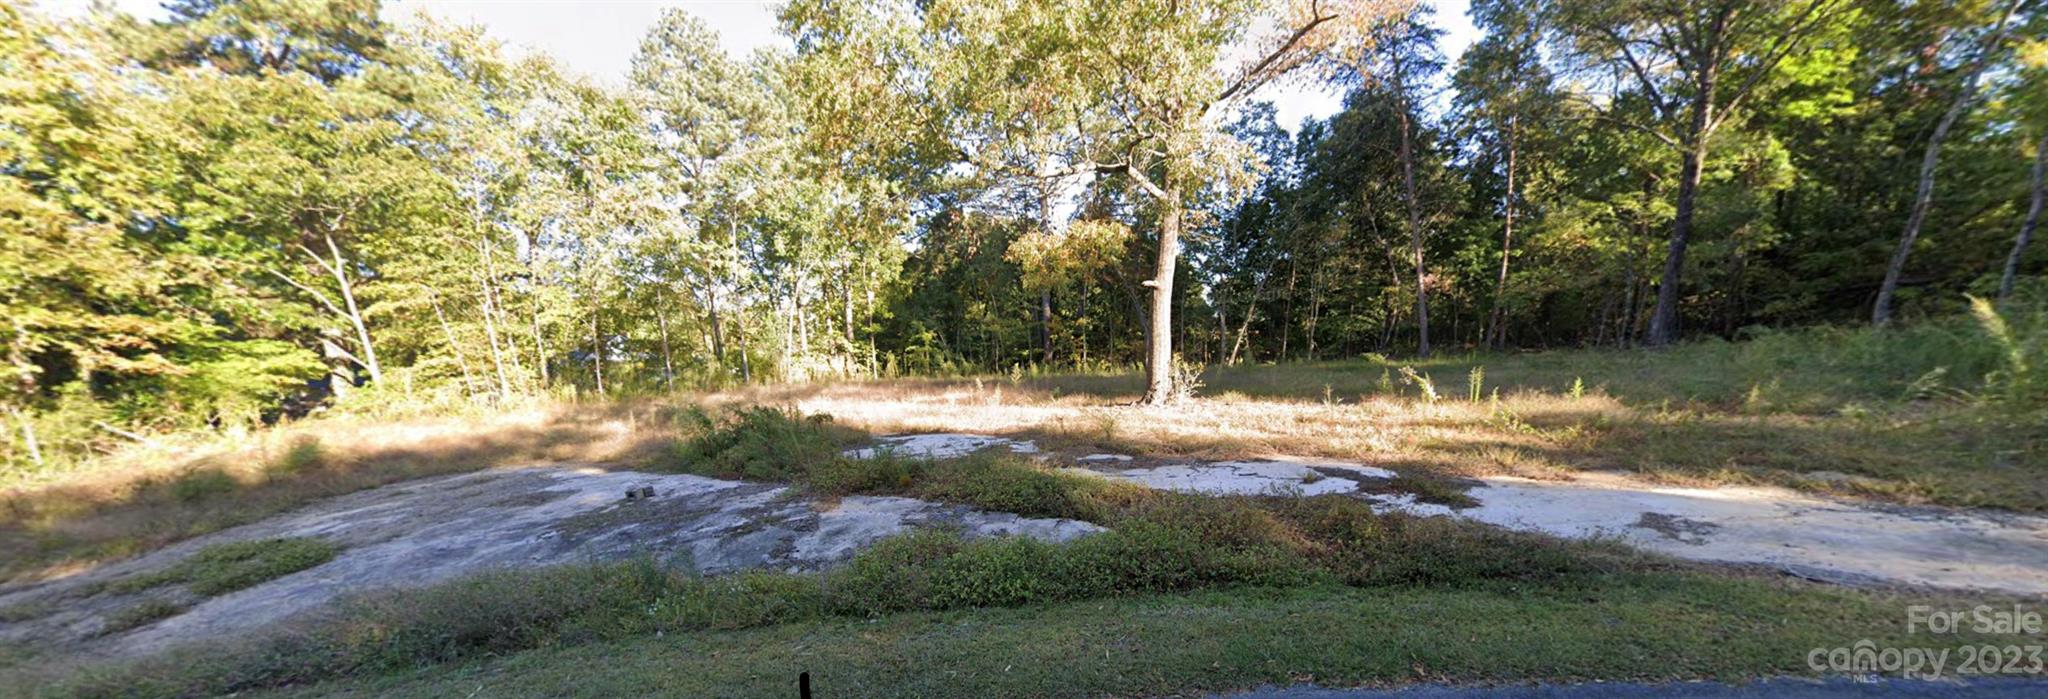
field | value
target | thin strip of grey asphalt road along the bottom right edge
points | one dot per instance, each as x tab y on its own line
1773	690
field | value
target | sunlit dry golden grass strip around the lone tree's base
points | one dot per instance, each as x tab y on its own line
1533	425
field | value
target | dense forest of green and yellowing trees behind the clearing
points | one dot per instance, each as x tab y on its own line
259	210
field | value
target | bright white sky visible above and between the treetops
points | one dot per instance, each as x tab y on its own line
597	38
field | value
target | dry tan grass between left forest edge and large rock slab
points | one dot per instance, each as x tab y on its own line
157	495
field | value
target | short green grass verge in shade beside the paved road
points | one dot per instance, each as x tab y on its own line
1172	645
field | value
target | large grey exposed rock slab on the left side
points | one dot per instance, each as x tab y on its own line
443	528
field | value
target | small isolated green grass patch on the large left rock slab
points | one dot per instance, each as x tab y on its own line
232	567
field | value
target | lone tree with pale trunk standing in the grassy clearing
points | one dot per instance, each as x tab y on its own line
1148	101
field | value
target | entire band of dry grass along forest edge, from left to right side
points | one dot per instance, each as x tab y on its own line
1668	417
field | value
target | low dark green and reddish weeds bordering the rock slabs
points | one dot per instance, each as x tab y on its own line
1156	542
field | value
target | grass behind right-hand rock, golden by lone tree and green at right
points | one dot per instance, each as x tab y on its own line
1900	413
